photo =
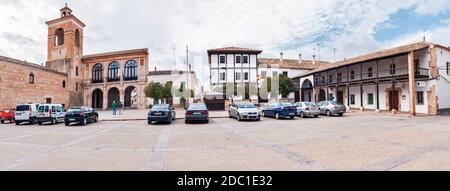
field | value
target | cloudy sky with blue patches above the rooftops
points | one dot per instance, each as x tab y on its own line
341	28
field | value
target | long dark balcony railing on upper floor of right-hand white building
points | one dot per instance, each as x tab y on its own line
390	73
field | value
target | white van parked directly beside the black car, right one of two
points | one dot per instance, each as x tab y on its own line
53	113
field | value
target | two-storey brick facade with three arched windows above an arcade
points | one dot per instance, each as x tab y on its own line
116	76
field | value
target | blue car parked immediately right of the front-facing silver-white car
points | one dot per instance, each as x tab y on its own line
280	110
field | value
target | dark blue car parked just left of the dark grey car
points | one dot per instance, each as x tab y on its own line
161	113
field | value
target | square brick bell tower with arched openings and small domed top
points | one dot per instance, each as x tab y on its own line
65	50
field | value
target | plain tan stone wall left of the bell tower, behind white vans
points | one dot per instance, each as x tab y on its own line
15	87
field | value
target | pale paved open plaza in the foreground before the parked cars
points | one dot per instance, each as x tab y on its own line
358	141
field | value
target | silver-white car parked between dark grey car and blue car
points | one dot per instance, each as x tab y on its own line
244	111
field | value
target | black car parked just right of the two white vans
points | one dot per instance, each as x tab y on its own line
81	115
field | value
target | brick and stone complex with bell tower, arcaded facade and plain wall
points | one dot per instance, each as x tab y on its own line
71	78
